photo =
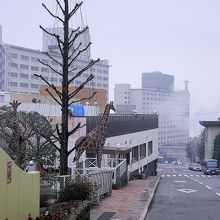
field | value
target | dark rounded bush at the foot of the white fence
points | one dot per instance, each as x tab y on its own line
78	189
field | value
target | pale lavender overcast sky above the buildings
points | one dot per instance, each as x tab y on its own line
178	37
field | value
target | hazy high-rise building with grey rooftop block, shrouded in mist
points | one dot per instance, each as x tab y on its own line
158	96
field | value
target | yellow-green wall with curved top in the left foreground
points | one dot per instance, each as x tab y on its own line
19	191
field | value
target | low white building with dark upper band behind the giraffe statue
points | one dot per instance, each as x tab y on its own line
134	137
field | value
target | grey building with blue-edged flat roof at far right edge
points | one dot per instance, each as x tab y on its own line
212	128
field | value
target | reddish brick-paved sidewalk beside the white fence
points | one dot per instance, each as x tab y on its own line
122	201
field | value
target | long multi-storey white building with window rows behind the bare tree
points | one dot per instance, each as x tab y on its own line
18	66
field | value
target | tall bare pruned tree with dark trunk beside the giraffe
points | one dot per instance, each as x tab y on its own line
69	53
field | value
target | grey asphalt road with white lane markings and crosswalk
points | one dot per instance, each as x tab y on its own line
183	194
